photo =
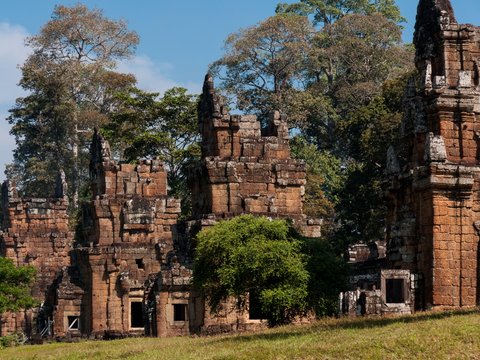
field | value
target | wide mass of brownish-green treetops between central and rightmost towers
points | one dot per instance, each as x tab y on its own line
317	78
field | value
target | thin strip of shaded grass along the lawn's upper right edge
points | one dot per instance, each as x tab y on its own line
339	324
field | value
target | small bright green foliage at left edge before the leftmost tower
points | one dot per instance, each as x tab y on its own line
15	286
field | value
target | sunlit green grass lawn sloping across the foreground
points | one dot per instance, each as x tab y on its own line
452	335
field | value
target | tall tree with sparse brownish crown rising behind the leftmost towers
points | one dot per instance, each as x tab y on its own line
74	58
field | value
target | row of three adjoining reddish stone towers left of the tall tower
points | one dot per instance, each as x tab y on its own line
128	271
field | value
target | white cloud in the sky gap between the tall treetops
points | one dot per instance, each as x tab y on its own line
153	76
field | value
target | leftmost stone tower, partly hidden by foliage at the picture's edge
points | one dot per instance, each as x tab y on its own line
35	233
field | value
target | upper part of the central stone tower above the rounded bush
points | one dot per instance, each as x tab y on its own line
245	171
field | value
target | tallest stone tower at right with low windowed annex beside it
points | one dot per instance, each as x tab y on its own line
432	252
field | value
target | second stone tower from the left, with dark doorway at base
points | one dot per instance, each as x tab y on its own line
127	239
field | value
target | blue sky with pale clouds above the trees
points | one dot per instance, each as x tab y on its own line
179	38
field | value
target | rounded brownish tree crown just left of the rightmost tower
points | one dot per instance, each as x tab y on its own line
348	63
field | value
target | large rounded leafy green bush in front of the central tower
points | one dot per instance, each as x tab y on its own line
287	274
